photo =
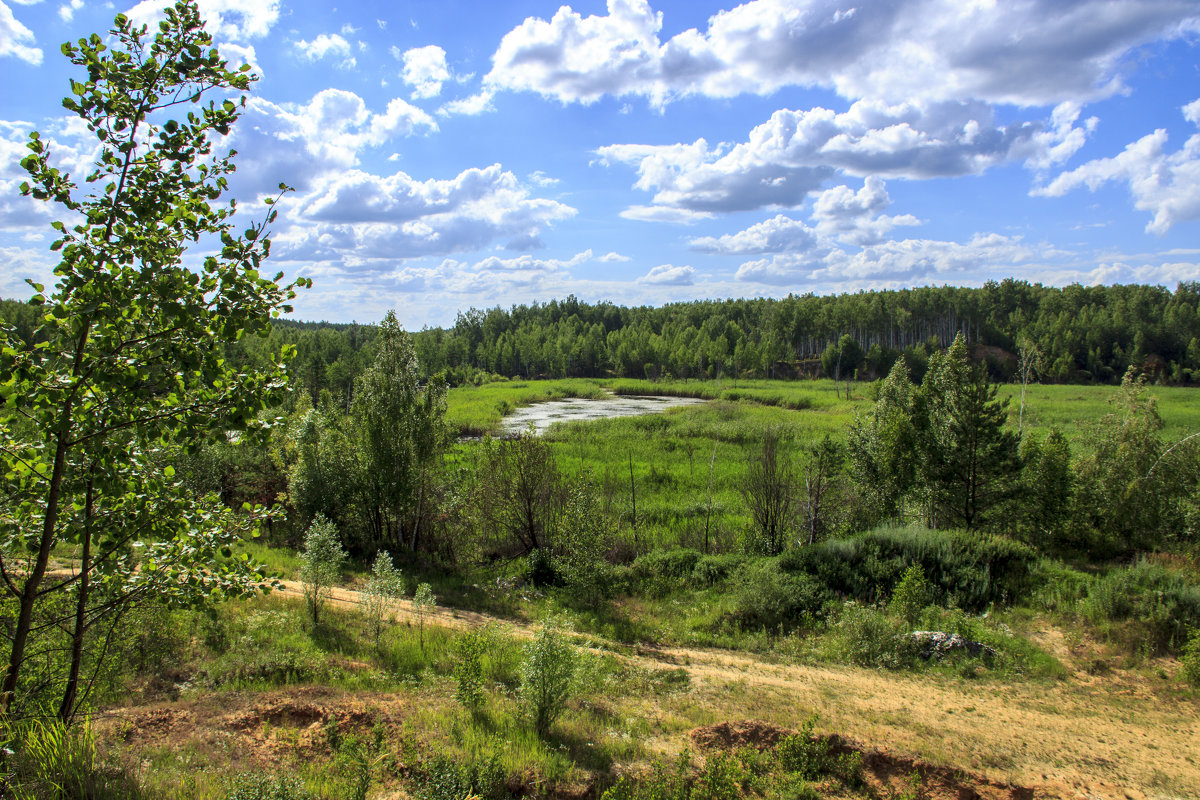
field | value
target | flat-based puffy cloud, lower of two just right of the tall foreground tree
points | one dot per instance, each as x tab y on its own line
398	216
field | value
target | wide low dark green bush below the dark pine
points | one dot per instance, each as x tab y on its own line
971	570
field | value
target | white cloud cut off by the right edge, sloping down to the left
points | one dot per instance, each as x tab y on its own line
1165	184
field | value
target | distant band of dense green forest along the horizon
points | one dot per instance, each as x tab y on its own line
1079	335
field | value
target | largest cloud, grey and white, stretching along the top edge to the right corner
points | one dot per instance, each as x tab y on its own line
1033	53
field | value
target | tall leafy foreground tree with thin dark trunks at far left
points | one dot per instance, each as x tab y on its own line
129	366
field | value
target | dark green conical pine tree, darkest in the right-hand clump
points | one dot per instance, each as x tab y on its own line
969	460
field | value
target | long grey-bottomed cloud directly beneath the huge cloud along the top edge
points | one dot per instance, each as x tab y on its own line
796	152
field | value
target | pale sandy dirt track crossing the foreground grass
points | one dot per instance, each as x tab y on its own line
1113	738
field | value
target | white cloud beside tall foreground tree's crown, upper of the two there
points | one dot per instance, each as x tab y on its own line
296	143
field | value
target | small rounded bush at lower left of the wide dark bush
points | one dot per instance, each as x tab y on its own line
769	598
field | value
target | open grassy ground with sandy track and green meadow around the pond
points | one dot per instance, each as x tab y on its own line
1073	700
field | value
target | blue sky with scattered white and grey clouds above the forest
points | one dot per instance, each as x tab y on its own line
457	154
